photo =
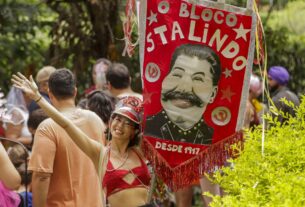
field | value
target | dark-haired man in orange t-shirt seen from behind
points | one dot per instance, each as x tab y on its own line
62	174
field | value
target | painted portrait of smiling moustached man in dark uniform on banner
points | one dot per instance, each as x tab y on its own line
188	88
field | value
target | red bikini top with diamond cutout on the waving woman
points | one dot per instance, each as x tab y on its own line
113	181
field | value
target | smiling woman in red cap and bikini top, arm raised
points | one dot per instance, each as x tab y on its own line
124	174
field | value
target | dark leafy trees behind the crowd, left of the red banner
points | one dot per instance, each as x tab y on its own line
64	33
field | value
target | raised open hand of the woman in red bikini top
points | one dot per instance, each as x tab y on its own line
29	87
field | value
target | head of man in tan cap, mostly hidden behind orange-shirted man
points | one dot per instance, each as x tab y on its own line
42	79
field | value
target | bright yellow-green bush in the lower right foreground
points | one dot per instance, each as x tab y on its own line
274	176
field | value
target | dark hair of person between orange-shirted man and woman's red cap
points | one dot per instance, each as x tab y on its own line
101	103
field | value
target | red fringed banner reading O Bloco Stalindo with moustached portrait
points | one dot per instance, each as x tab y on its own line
196	59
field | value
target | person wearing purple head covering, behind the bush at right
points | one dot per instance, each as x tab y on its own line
278	78
